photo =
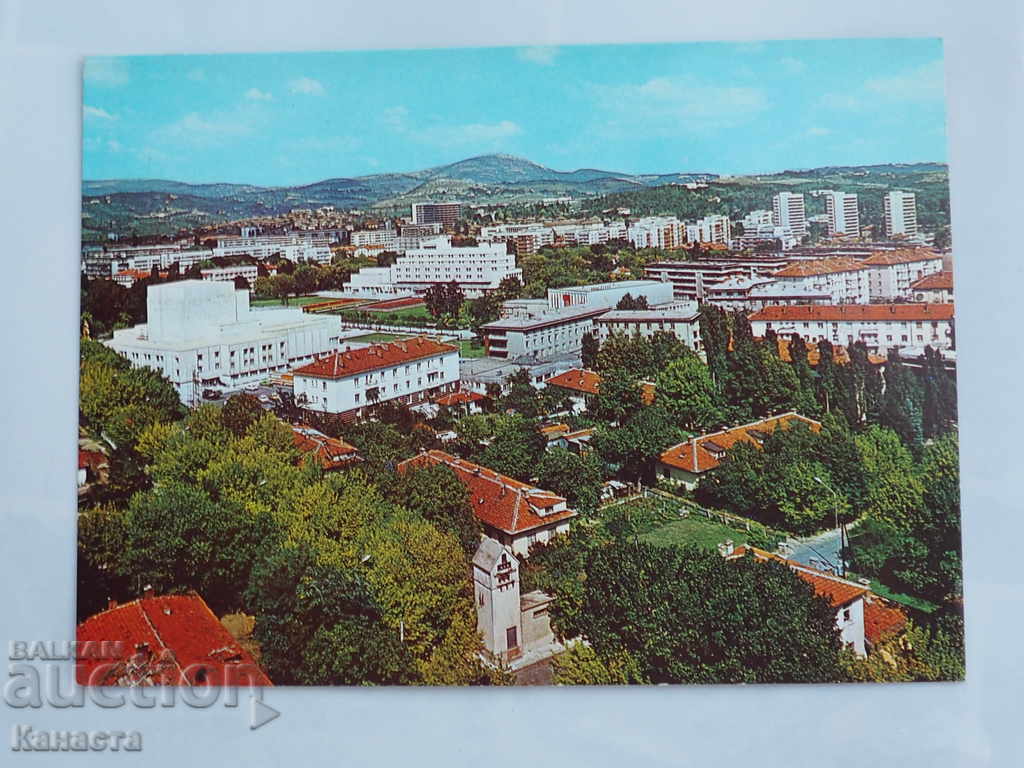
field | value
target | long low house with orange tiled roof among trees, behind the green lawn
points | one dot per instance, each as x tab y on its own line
688	462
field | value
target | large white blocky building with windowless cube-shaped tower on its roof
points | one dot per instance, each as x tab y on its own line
203	334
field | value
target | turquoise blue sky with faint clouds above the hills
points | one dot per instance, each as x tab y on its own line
724	108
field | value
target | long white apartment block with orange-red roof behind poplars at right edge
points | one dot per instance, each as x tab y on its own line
881	327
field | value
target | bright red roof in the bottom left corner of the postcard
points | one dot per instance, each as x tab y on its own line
169	641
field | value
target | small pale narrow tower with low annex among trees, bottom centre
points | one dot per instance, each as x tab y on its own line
516	628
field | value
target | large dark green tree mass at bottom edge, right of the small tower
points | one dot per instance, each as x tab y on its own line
690	616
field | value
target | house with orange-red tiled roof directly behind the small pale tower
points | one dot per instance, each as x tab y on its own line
515	514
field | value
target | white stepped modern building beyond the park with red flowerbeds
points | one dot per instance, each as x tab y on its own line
476	269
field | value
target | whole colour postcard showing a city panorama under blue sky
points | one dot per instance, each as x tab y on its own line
540	366
